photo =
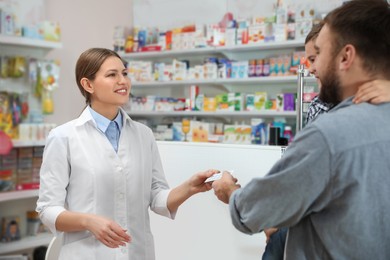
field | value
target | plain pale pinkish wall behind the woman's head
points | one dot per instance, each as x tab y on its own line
84	24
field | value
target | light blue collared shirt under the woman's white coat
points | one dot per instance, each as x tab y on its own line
103	124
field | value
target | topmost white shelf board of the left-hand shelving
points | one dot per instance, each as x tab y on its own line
28	42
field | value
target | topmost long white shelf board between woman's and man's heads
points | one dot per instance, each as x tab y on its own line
216	50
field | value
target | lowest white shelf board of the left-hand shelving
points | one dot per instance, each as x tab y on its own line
26	243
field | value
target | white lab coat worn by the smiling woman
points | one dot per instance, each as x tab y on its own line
81	172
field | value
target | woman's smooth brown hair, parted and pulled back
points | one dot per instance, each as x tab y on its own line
89	64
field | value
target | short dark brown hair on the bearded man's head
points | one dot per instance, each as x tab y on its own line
365	25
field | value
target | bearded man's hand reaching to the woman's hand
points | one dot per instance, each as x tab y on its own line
225	186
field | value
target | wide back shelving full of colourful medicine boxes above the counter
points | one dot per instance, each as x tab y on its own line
244	69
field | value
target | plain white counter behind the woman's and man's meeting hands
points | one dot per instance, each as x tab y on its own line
202	228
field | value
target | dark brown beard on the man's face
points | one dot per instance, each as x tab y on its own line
330	87
